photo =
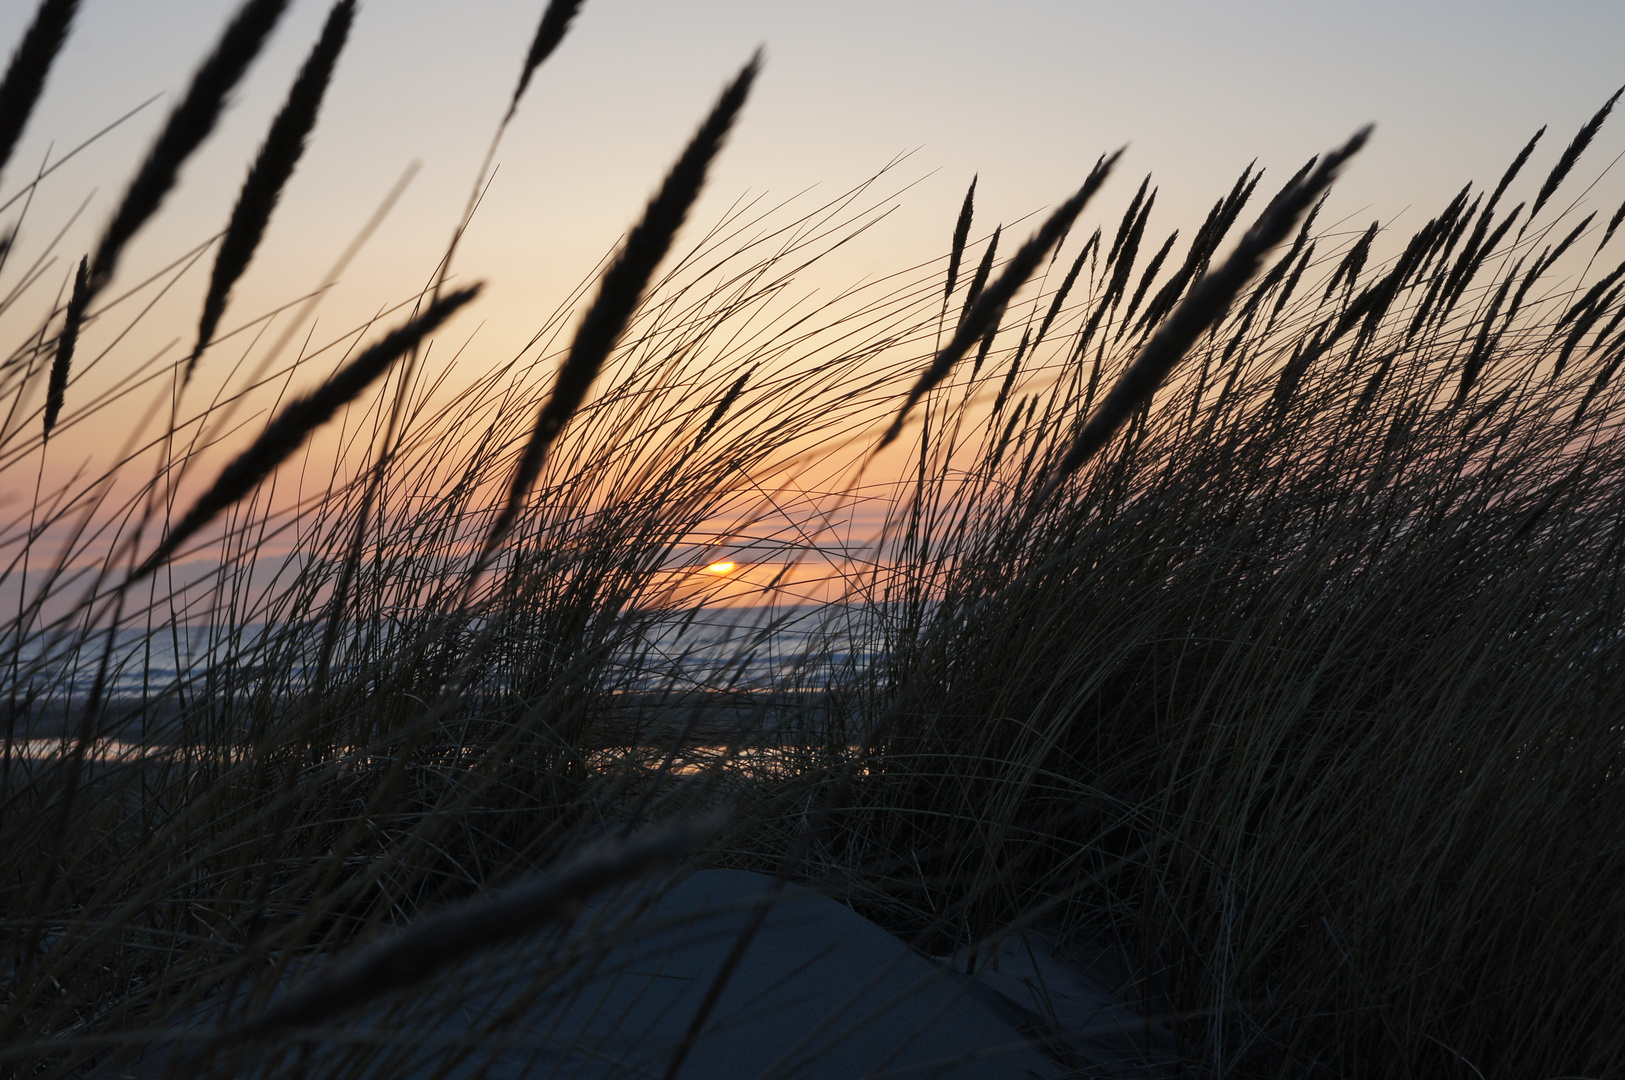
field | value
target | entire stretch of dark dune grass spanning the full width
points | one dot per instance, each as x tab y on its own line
1255	613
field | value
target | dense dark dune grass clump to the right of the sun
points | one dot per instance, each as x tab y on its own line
1302	688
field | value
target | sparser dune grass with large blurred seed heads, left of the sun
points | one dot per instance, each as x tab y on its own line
422	681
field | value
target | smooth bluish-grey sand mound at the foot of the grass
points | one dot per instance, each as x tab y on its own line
821	995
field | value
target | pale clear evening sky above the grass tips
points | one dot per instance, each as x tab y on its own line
1023	93
